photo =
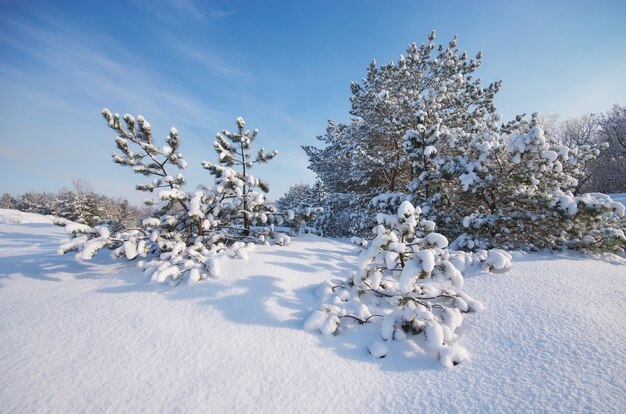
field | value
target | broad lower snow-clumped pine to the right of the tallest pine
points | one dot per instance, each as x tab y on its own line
516	190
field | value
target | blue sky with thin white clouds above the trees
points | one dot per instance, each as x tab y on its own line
286	67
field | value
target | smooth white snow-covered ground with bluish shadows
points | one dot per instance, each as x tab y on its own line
99	338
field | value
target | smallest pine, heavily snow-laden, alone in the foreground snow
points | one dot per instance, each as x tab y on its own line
409	284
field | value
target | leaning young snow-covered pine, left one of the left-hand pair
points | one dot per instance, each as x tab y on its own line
169	230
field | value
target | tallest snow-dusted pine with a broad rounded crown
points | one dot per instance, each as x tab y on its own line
370	156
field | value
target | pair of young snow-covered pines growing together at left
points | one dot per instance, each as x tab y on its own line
184	231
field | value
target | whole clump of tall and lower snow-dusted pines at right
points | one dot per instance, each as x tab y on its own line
424	130
